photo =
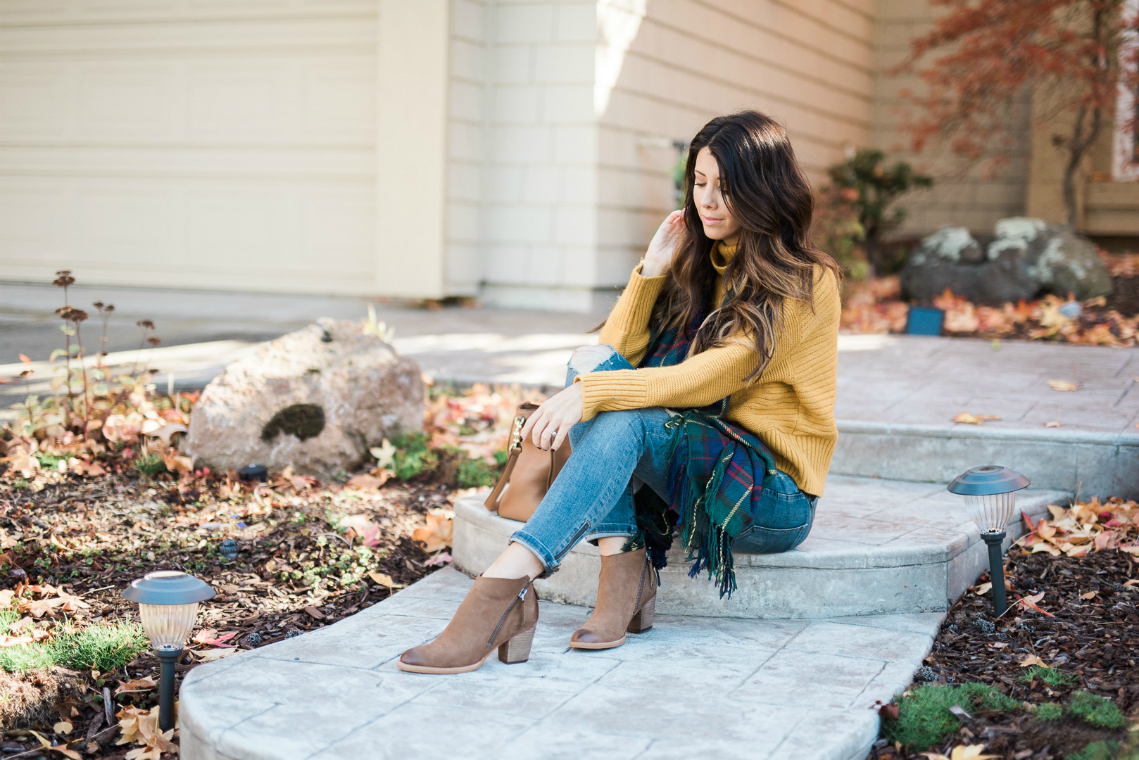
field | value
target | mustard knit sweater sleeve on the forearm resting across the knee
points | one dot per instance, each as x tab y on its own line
698	381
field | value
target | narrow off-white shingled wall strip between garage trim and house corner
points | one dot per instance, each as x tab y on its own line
540	177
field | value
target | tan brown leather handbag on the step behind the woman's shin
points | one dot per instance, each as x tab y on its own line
529	472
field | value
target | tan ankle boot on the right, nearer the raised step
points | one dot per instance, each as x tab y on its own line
626	602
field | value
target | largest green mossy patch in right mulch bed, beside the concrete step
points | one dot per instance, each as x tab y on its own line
924	718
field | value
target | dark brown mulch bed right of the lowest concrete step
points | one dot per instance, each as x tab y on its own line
1092	640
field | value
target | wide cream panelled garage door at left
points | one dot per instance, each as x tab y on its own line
208	144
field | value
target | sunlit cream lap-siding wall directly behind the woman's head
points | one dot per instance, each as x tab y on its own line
683	62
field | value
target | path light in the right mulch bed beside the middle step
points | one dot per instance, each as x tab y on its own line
990	496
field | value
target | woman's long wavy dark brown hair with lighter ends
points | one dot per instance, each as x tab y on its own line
771	197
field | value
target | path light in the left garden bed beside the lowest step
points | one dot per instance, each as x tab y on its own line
169	606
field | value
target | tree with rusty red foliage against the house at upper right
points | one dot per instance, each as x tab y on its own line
986	55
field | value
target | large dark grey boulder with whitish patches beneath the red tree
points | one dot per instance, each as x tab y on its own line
1026	259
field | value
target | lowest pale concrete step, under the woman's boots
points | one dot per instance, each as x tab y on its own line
690	688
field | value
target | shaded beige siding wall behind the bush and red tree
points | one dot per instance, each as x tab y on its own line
962	195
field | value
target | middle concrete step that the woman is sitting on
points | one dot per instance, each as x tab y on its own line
878	547
